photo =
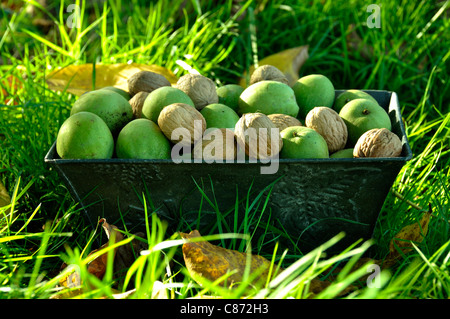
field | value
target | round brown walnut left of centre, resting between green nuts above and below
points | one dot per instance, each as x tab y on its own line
182	123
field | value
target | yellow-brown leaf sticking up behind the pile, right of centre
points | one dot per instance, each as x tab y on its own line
288	61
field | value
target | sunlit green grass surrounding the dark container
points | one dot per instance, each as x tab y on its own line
43	227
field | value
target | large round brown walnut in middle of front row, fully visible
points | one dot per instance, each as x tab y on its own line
254	133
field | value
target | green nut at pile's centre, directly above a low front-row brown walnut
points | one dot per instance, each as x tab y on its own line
219	116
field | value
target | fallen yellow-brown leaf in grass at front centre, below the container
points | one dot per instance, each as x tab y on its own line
207	261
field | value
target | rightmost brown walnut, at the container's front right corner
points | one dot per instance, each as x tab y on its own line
378	143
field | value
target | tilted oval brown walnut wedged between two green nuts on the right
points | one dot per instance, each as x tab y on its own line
330	125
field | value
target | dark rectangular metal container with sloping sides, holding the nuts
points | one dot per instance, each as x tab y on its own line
309	200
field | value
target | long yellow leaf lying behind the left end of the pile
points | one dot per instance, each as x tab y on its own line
77	79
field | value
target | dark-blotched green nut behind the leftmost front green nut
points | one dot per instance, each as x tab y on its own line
112	108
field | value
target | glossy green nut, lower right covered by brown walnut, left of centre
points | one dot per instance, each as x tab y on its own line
161	97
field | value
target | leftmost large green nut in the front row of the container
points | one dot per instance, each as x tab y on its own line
84	135
